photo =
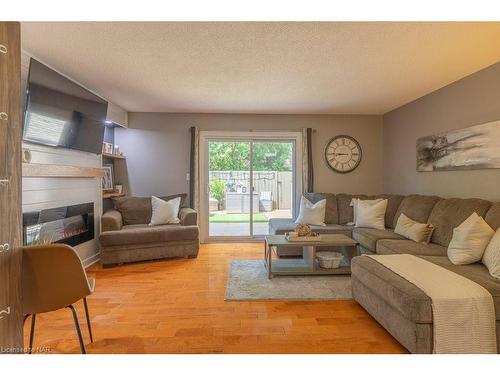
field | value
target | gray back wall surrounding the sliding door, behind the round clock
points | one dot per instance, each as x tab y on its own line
157	148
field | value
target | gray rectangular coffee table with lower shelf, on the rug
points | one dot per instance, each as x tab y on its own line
308	265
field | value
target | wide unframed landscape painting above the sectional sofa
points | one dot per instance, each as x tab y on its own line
475	147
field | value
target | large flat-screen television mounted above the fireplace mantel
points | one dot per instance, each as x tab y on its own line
61	113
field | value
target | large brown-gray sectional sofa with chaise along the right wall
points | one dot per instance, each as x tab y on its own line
403	309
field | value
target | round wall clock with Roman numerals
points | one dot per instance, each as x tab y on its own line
343	154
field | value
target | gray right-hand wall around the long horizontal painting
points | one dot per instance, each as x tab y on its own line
472	100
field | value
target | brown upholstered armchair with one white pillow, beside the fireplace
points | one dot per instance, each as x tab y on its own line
127	237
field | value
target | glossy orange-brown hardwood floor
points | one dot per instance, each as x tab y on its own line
177	306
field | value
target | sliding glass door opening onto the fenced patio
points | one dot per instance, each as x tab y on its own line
249	181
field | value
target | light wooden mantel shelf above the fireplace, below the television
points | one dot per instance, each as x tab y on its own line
55	170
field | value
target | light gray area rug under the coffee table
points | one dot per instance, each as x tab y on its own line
248	281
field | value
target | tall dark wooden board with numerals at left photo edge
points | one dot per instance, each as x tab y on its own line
11	314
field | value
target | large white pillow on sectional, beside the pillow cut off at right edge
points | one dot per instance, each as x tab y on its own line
469	240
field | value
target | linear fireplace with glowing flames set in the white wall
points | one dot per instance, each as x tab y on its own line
71	225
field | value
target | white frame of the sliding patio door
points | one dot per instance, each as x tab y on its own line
244	136
